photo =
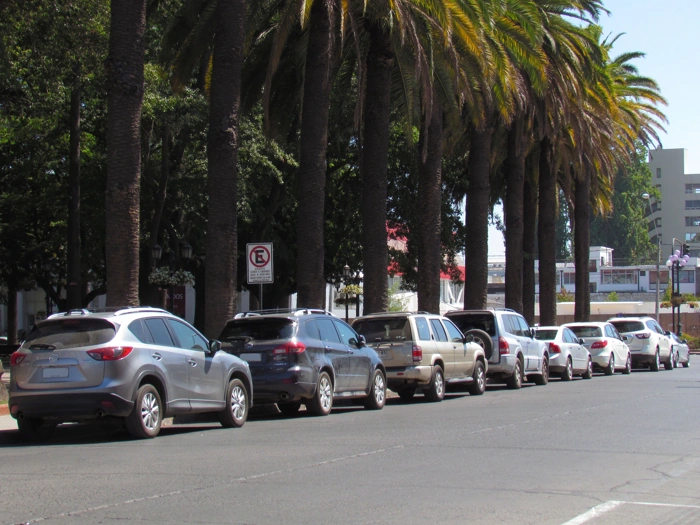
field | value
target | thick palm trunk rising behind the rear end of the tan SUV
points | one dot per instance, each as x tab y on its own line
375	158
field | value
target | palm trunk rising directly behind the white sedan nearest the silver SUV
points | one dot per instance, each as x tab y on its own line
546	234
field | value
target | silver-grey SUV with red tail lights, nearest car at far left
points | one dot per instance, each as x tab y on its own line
136	364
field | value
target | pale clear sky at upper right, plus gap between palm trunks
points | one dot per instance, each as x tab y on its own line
668	33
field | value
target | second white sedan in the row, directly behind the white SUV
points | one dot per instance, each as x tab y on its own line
607	347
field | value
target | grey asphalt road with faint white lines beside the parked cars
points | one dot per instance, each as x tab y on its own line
613	450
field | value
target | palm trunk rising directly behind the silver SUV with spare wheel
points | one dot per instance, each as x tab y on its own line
477	249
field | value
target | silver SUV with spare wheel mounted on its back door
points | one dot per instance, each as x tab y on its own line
513	353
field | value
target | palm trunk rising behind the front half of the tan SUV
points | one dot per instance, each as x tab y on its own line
430	197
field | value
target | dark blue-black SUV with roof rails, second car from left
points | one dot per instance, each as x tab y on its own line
305	356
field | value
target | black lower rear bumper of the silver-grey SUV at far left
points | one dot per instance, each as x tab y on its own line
69	407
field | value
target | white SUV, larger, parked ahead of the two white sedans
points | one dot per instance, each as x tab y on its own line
649	344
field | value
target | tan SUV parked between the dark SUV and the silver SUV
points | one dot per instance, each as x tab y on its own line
423	351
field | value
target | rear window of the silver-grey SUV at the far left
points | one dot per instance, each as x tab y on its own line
70	333
